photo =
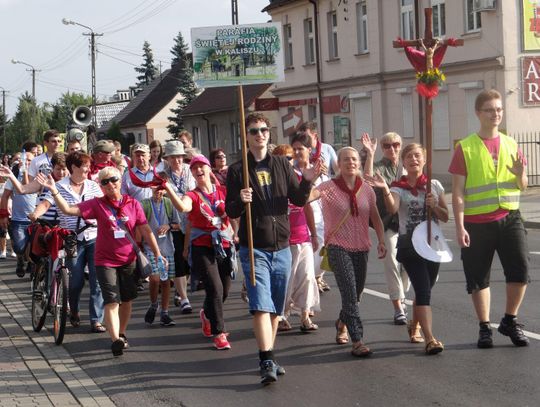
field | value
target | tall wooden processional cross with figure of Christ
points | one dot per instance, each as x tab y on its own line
429	45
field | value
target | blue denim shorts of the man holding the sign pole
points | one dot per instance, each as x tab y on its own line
272	272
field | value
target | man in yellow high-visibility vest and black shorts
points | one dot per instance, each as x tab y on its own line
488	175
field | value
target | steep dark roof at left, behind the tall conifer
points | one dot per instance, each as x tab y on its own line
151	100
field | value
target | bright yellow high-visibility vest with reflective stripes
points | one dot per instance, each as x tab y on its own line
488	188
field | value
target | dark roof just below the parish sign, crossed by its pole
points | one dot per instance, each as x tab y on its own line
223	99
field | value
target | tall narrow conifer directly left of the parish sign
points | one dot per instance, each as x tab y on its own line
181	65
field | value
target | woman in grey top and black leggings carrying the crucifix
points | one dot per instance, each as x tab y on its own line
409	197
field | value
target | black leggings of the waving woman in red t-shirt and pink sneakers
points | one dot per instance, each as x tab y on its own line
216	276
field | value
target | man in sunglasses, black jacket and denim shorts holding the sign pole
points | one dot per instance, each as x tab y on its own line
273	183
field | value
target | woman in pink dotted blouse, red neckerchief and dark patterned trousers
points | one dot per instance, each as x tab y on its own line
348	204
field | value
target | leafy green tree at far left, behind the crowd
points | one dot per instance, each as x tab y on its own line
29	123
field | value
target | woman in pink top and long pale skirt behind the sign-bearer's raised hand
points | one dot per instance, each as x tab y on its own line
302	290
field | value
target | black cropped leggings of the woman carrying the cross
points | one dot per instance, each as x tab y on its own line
422	273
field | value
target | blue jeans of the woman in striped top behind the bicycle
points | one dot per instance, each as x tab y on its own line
85	256
